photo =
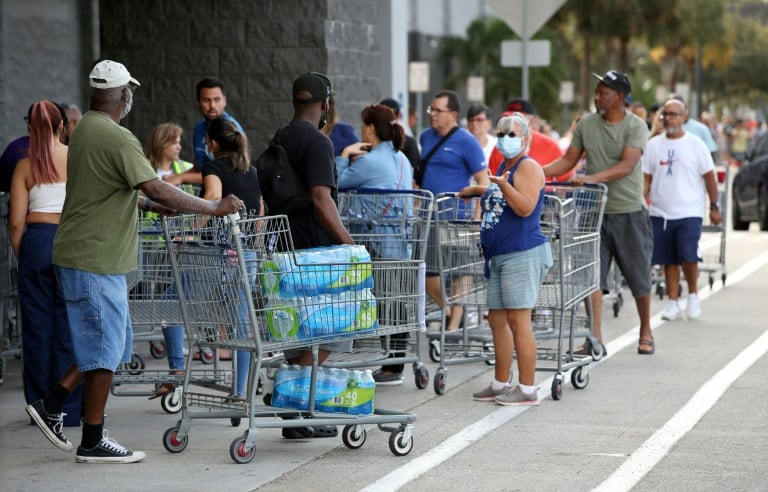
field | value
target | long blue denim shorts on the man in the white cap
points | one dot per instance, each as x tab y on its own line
97	309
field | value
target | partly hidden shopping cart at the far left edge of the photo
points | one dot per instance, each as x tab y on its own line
10	326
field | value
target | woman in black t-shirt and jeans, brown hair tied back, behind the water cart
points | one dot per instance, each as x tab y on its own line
230	172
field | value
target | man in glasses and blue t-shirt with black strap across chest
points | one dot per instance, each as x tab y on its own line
450	169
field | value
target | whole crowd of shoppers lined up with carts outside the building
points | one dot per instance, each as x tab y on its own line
80	190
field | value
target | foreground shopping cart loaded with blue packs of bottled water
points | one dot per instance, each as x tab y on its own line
225	263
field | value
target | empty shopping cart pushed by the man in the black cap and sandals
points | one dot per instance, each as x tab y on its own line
571	219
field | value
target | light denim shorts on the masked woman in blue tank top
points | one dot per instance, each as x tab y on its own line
516	277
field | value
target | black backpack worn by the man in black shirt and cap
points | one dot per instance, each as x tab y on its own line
281	186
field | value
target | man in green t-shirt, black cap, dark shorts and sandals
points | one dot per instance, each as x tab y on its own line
614	140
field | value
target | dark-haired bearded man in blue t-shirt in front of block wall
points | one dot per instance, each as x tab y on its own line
212	102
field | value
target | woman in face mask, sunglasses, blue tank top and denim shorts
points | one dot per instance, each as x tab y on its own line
517	256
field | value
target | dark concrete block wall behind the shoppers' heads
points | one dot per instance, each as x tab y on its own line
256	47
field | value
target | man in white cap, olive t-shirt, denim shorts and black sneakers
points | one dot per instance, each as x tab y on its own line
95	246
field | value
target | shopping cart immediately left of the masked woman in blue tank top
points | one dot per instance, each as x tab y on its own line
456	243
